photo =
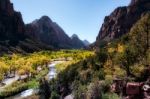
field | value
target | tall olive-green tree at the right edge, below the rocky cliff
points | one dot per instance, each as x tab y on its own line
139	35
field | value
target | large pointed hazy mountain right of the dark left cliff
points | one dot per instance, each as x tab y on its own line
49	33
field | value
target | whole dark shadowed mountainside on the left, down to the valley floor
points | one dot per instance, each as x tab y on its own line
12	31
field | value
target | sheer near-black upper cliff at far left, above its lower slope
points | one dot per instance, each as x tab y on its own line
11	23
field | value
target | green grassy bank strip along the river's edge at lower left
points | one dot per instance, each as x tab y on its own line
20	86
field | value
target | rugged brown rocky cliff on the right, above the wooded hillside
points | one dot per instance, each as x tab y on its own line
121	20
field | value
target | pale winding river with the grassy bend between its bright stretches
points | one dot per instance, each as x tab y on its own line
32	86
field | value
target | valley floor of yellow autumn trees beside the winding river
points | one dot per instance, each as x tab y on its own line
35	66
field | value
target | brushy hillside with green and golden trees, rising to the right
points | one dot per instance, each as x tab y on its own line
121	60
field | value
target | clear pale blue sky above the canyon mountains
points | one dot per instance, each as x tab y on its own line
81	17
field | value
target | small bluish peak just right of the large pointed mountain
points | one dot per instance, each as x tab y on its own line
77	43
